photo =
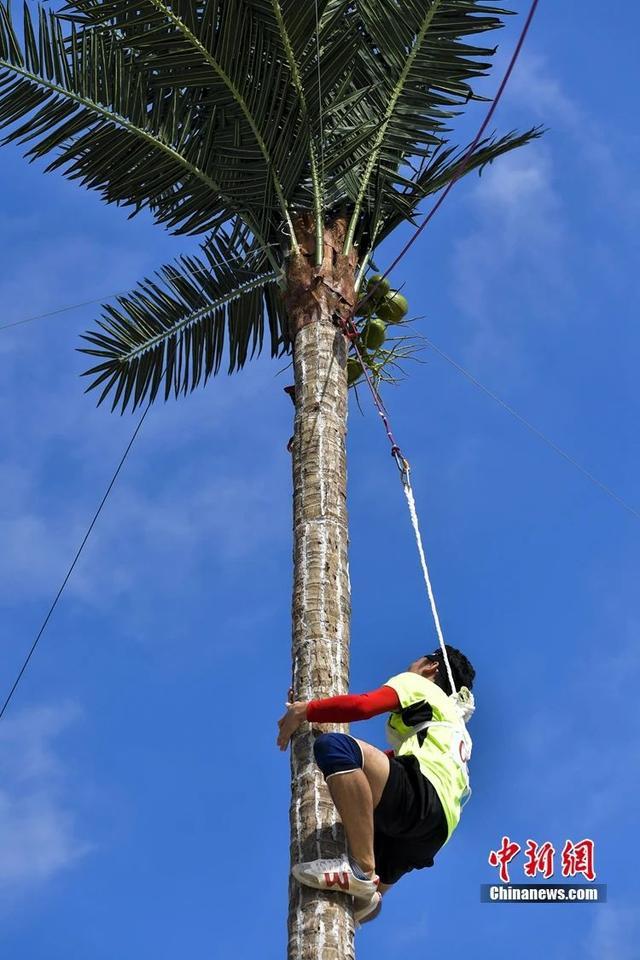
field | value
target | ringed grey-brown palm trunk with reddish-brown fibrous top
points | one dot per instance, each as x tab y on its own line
320	925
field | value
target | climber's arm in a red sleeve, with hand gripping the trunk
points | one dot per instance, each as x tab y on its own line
342	709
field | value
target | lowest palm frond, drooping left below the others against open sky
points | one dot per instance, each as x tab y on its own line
173	329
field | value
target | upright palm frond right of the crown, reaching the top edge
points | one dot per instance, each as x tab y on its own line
418	71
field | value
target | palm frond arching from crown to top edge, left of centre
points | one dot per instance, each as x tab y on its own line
221	52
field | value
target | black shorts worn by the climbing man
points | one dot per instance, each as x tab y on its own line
409	822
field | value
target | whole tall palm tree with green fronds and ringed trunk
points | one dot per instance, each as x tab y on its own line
293	138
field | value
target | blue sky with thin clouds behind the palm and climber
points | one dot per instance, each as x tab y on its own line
143	803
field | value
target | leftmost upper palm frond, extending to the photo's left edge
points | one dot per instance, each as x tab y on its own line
80	98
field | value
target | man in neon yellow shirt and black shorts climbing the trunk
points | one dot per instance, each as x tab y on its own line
400	806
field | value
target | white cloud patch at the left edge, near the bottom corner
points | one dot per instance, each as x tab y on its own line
38	830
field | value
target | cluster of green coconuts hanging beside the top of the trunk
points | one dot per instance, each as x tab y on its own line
381	306
